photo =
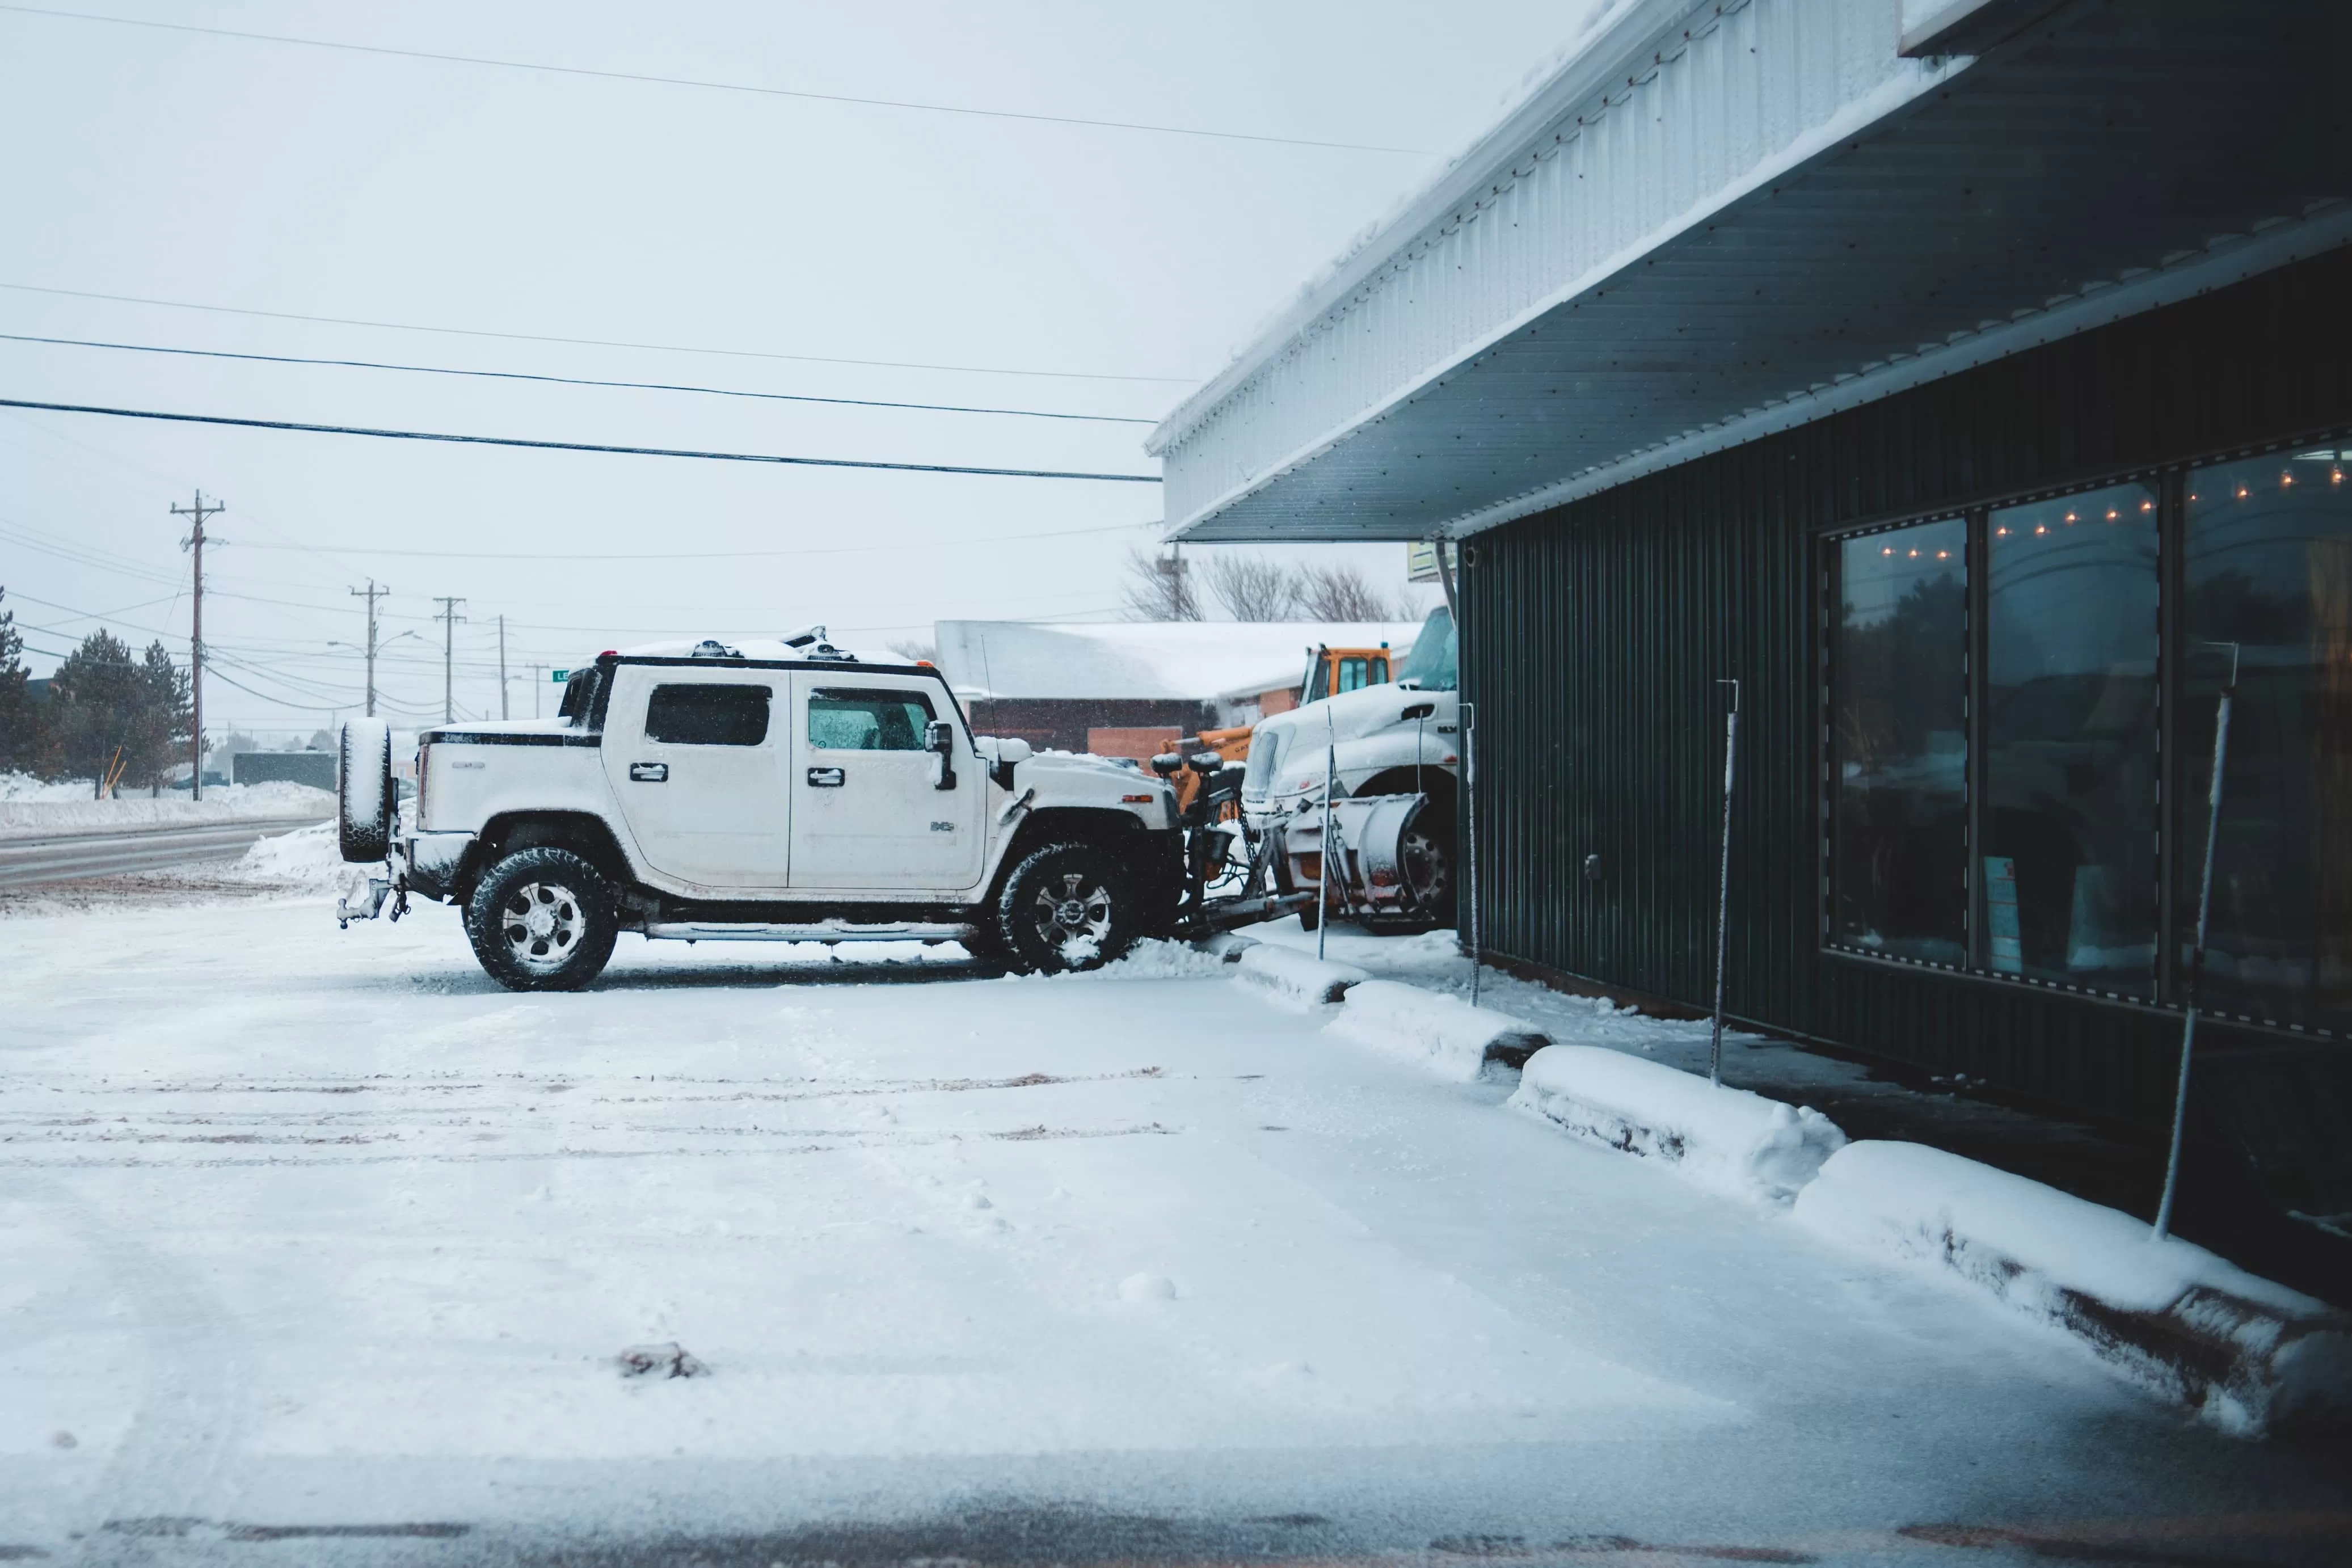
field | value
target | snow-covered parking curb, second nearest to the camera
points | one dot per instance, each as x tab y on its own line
1725	1139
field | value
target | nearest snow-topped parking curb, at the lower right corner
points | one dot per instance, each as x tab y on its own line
2245	1353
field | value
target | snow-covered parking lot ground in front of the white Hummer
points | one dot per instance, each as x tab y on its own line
319	1247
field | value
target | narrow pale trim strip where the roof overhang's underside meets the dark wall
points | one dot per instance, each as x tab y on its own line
2236	262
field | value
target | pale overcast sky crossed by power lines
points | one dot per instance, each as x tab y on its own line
1060	267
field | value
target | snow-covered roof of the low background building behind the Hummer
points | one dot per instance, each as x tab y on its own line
1144	659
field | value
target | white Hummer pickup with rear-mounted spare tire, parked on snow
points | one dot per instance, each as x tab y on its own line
768	791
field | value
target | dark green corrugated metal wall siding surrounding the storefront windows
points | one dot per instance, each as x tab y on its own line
1593	636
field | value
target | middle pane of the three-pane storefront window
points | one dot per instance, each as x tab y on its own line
2069	876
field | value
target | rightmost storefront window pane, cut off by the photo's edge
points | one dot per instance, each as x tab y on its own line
2269	568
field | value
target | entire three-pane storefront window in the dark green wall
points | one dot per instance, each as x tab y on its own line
2019	737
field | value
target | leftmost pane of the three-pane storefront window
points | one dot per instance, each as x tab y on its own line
1899	742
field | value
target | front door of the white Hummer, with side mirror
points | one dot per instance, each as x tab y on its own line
874	810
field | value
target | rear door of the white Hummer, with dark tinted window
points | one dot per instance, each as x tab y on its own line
697	760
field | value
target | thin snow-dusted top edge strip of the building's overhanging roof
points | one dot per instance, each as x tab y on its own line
1633	39
